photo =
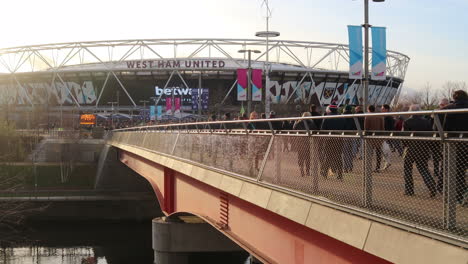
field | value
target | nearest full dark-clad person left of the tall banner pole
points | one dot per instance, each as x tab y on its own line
332	147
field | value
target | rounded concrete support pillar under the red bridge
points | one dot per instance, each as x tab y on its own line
175	238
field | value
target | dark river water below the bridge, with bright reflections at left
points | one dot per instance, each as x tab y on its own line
90	243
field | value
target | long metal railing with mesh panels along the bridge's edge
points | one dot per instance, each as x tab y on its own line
369	173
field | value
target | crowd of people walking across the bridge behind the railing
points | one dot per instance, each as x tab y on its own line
413	152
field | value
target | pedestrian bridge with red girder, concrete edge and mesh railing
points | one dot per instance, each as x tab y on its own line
311	196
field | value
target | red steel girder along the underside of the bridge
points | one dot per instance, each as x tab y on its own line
268	236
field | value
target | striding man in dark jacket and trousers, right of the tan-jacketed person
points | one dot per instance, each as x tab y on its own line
418	153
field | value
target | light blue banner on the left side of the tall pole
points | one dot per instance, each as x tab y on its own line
355	52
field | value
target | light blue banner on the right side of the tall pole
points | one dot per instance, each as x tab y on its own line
379	53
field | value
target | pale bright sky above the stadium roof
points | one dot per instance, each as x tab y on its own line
432	33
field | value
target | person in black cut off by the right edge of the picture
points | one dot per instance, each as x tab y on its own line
459	122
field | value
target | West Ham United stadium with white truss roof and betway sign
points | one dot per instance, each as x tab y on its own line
199	75
